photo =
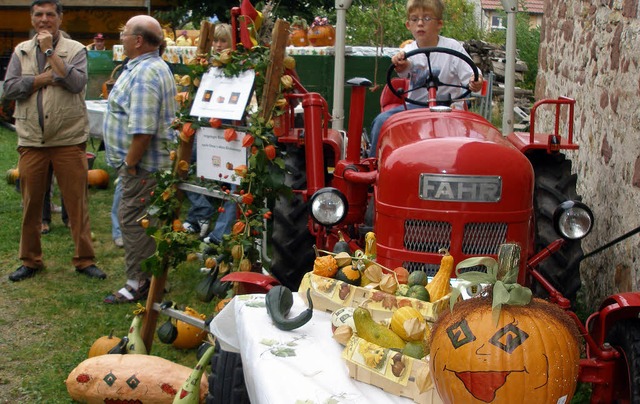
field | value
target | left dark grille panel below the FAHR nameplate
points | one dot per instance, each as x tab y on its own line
424	236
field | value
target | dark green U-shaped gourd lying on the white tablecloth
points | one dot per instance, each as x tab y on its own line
279	301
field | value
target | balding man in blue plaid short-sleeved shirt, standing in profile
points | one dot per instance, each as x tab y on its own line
138	134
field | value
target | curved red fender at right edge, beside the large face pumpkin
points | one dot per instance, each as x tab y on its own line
612	309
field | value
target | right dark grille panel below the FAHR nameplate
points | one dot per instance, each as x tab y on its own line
483	238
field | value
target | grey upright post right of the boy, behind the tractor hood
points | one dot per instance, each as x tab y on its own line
511	8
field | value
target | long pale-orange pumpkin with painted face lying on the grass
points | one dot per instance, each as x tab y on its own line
129	378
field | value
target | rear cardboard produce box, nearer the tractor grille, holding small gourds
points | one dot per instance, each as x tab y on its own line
330	294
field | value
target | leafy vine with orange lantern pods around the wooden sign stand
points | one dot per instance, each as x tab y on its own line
261	179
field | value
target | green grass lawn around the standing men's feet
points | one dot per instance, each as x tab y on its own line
49	322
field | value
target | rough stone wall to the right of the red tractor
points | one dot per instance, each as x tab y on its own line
590	51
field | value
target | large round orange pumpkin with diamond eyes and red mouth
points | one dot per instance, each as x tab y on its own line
532	355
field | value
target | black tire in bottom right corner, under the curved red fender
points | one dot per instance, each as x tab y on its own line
625	336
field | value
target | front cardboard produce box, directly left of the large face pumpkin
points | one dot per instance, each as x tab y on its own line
391	371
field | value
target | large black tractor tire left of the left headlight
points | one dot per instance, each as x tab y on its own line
292	244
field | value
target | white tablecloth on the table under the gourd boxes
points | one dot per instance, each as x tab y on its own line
303	365
